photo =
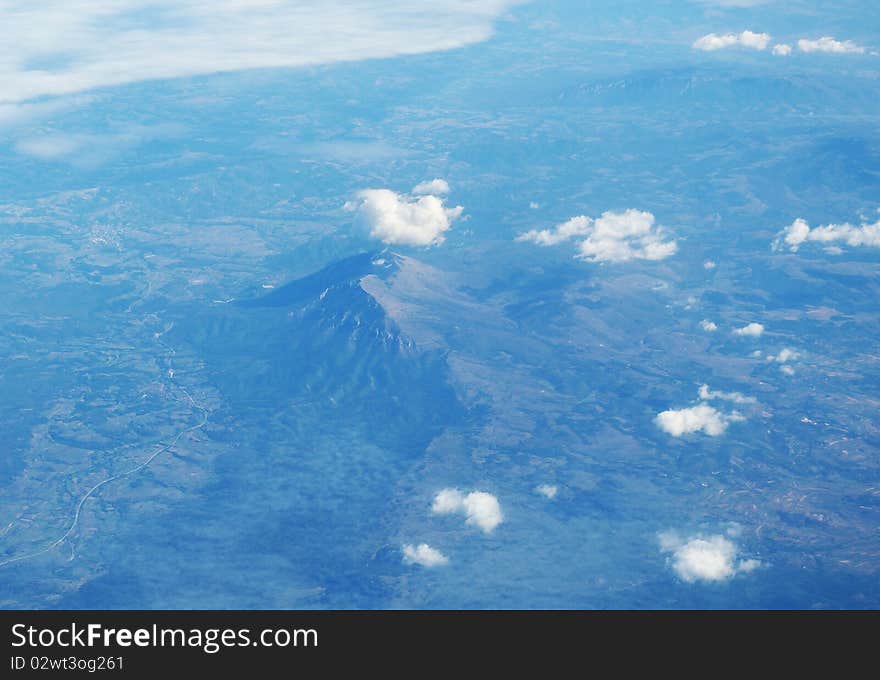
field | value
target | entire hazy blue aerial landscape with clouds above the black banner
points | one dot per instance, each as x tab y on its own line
458	305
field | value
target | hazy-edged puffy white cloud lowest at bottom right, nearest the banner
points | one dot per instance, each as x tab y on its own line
711	558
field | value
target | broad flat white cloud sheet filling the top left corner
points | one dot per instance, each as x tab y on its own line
59	47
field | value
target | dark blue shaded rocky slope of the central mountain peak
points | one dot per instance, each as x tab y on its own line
325	341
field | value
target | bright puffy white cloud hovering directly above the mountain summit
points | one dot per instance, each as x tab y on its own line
404	220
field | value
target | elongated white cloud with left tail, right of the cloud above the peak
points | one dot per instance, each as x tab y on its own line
613	237
